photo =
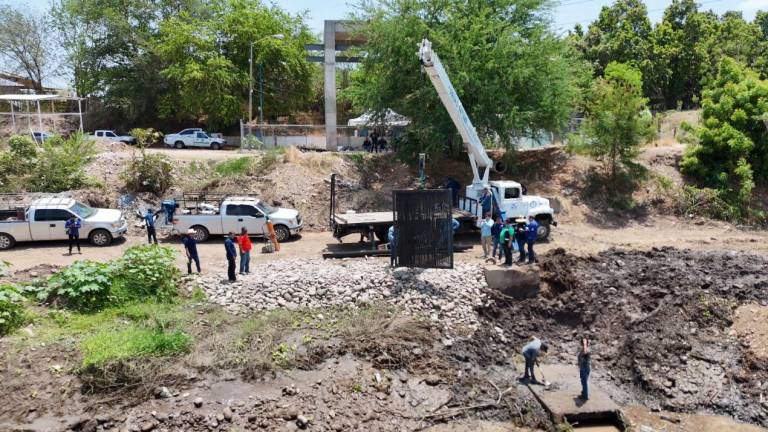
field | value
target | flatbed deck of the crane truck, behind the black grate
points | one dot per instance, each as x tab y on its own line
376	224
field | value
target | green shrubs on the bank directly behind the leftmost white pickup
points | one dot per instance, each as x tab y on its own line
58	166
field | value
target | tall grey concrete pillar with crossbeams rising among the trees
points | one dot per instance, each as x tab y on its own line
338	36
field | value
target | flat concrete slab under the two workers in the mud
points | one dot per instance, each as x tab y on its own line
561	398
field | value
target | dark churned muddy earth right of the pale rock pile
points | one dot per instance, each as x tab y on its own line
660	324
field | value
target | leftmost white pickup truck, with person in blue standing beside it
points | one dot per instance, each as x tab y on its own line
44	220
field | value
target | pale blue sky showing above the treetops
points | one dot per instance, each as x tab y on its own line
565	15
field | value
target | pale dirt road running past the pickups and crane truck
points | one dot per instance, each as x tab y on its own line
580	239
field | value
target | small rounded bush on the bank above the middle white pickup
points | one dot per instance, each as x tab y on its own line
148	173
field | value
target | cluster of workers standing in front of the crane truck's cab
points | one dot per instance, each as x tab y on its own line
508	236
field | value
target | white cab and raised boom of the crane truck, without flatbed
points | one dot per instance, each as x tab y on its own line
512	198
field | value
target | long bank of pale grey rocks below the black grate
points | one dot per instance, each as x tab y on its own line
447	297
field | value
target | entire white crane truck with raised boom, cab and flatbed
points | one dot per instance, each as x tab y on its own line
511	196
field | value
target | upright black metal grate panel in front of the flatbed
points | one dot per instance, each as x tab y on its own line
423	232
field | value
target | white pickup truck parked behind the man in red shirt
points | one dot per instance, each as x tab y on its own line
233	213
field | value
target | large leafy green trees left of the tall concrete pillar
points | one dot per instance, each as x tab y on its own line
181	59
